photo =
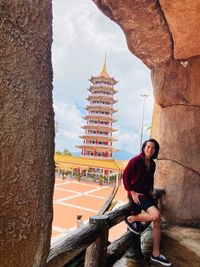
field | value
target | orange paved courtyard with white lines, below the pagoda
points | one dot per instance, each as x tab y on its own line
72	197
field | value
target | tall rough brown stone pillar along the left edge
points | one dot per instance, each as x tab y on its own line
27	132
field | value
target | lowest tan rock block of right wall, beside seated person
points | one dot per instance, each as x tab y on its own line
182	192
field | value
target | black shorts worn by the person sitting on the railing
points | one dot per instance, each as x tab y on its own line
145	203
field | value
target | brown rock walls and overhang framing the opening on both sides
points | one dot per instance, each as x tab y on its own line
166	42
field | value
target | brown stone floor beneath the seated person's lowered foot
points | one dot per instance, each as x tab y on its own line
179	244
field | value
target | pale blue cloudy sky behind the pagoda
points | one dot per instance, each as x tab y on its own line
81	37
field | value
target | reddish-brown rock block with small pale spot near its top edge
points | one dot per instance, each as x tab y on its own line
175	84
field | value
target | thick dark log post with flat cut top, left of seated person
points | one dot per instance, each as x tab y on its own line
96	253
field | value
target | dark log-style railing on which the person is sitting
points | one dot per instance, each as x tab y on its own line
94	238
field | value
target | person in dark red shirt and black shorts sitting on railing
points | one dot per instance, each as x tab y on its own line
138	179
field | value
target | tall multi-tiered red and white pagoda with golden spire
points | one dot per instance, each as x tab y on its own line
98	139
